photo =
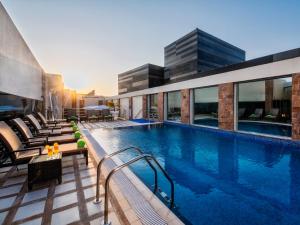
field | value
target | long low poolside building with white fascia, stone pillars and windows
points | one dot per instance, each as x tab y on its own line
258	96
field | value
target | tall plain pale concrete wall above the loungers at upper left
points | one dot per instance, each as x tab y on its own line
20	73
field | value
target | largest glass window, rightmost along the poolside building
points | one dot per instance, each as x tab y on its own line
265	106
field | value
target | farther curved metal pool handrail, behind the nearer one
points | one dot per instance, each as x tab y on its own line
97	200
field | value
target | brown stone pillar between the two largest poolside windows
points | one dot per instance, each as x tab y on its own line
226	106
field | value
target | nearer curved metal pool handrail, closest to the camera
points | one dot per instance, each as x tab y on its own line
145	156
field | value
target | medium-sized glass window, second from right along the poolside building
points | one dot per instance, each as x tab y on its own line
206	106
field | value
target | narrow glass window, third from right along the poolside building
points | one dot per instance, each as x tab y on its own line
174	106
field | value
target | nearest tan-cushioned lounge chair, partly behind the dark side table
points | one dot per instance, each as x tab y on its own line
20	153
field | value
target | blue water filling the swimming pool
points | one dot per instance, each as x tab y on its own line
219	179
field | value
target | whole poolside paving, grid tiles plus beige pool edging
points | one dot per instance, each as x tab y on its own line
71	202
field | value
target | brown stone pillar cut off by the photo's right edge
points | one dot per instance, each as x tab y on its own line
296	106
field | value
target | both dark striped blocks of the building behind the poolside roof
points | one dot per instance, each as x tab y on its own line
186	58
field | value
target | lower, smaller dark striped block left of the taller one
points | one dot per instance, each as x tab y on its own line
146	76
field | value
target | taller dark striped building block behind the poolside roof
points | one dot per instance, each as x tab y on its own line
198	52
